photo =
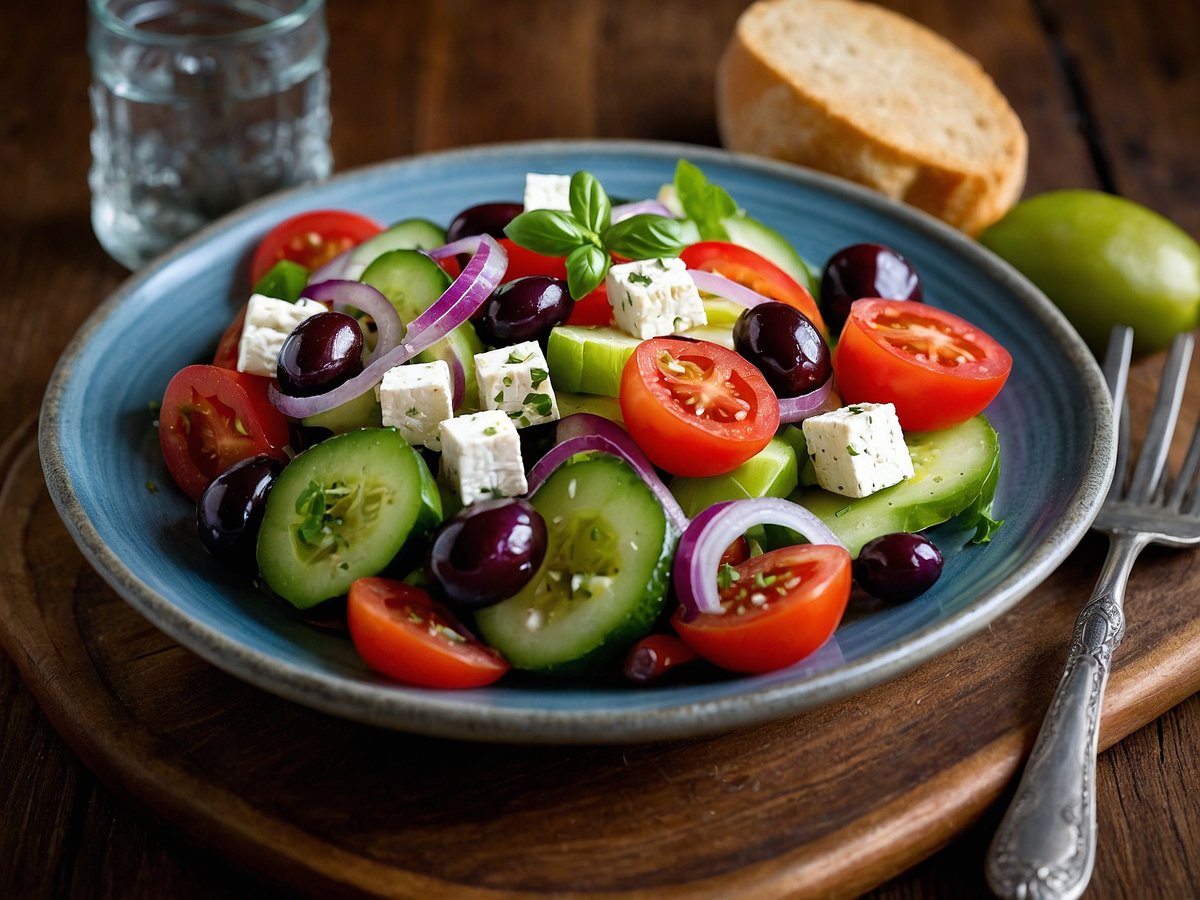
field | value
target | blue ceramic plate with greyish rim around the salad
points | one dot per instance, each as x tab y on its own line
100	453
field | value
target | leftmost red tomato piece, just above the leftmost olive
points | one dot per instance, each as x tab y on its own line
212	418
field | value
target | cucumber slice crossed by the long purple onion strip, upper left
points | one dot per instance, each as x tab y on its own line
412	283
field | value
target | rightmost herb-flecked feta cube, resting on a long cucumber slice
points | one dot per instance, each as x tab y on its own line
859	449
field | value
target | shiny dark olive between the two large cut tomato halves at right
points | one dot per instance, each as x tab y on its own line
785	346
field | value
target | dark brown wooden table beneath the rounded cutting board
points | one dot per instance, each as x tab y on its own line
1109	92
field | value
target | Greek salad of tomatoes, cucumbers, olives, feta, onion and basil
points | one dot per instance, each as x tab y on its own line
571	436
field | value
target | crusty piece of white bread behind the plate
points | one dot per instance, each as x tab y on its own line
861	92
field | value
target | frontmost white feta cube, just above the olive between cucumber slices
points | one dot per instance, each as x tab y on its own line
482	457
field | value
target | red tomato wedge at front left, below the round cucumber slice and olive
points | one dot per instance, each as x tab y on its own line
401	632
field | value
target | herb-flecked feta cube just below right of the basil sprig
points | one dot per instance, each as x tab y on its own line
655	297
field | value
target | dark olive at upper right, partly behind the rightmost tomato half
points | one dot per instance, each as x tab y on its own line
865	271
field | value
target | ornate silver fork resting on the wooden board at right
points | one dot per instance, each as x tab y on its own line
1046	845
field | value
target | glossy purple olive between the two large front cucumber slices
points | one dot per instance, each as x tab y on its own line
488	553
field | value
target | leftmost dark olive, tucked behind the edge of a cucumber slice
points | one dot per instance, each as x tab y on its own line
231	509
